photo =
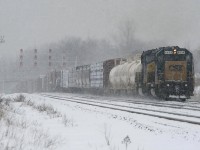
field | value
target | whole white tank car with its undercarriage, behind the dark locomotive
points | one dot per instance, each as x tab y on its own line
123	77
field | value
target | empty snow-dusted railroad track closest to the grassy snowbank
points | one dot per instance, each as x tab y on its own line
186	118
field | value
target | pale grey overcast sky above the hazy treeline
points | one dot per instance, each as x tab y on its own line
30	23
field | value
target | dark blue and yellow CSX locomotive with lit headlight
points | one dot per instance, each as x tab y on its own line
168	72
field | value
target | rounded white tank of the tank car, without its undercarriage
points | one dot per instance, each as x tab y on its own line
123	76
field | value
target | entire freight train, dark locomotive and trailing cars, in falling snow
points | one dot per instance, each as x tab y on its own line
166	72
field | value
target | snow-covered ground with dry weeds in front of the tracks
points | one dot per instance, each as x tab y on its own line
45	123
